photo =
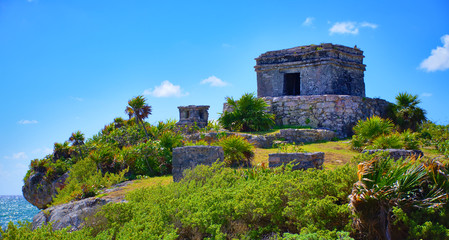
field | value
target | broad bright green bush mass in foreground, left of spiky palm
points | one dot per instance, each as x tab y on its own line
219	202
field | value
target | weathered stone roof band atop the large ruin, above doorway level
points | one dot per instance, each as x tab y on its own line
313	54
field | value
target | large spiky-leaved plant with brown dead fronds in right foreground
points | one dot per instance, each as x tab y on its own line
385	184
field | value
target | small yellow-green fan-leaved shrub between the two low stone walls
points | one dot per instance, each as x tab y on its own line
237	150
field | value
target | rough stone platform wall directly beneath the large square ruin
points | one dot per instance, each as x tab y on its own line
334	112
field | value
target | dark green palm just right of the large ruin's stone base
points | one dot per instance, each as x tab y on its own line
405	112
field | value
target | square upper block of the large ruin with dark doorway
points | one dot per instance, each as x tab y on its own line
311	70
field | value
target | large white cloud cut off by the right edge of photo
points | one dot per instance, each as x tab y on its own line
439	57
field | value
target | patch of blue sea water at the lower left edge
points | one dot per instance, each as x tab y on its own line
15	208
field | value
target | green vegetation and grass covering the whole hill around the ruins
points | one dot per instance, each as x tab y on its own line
355	196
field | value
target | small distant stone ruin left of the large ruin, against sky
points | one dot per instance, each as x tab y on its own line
191	115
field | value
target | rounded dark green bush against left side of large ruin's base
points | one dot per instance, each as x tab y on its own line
247	114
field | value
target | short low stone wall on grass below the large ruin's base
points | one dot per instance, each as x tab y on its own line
303	160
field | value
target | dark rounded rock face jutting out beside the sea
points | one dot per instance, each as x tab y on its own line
40	192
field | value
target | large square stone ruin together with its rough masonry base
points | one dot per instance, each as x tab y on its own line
321	86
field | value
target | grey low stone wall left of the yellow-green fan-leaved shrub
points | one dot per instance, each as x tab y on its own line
191	156
